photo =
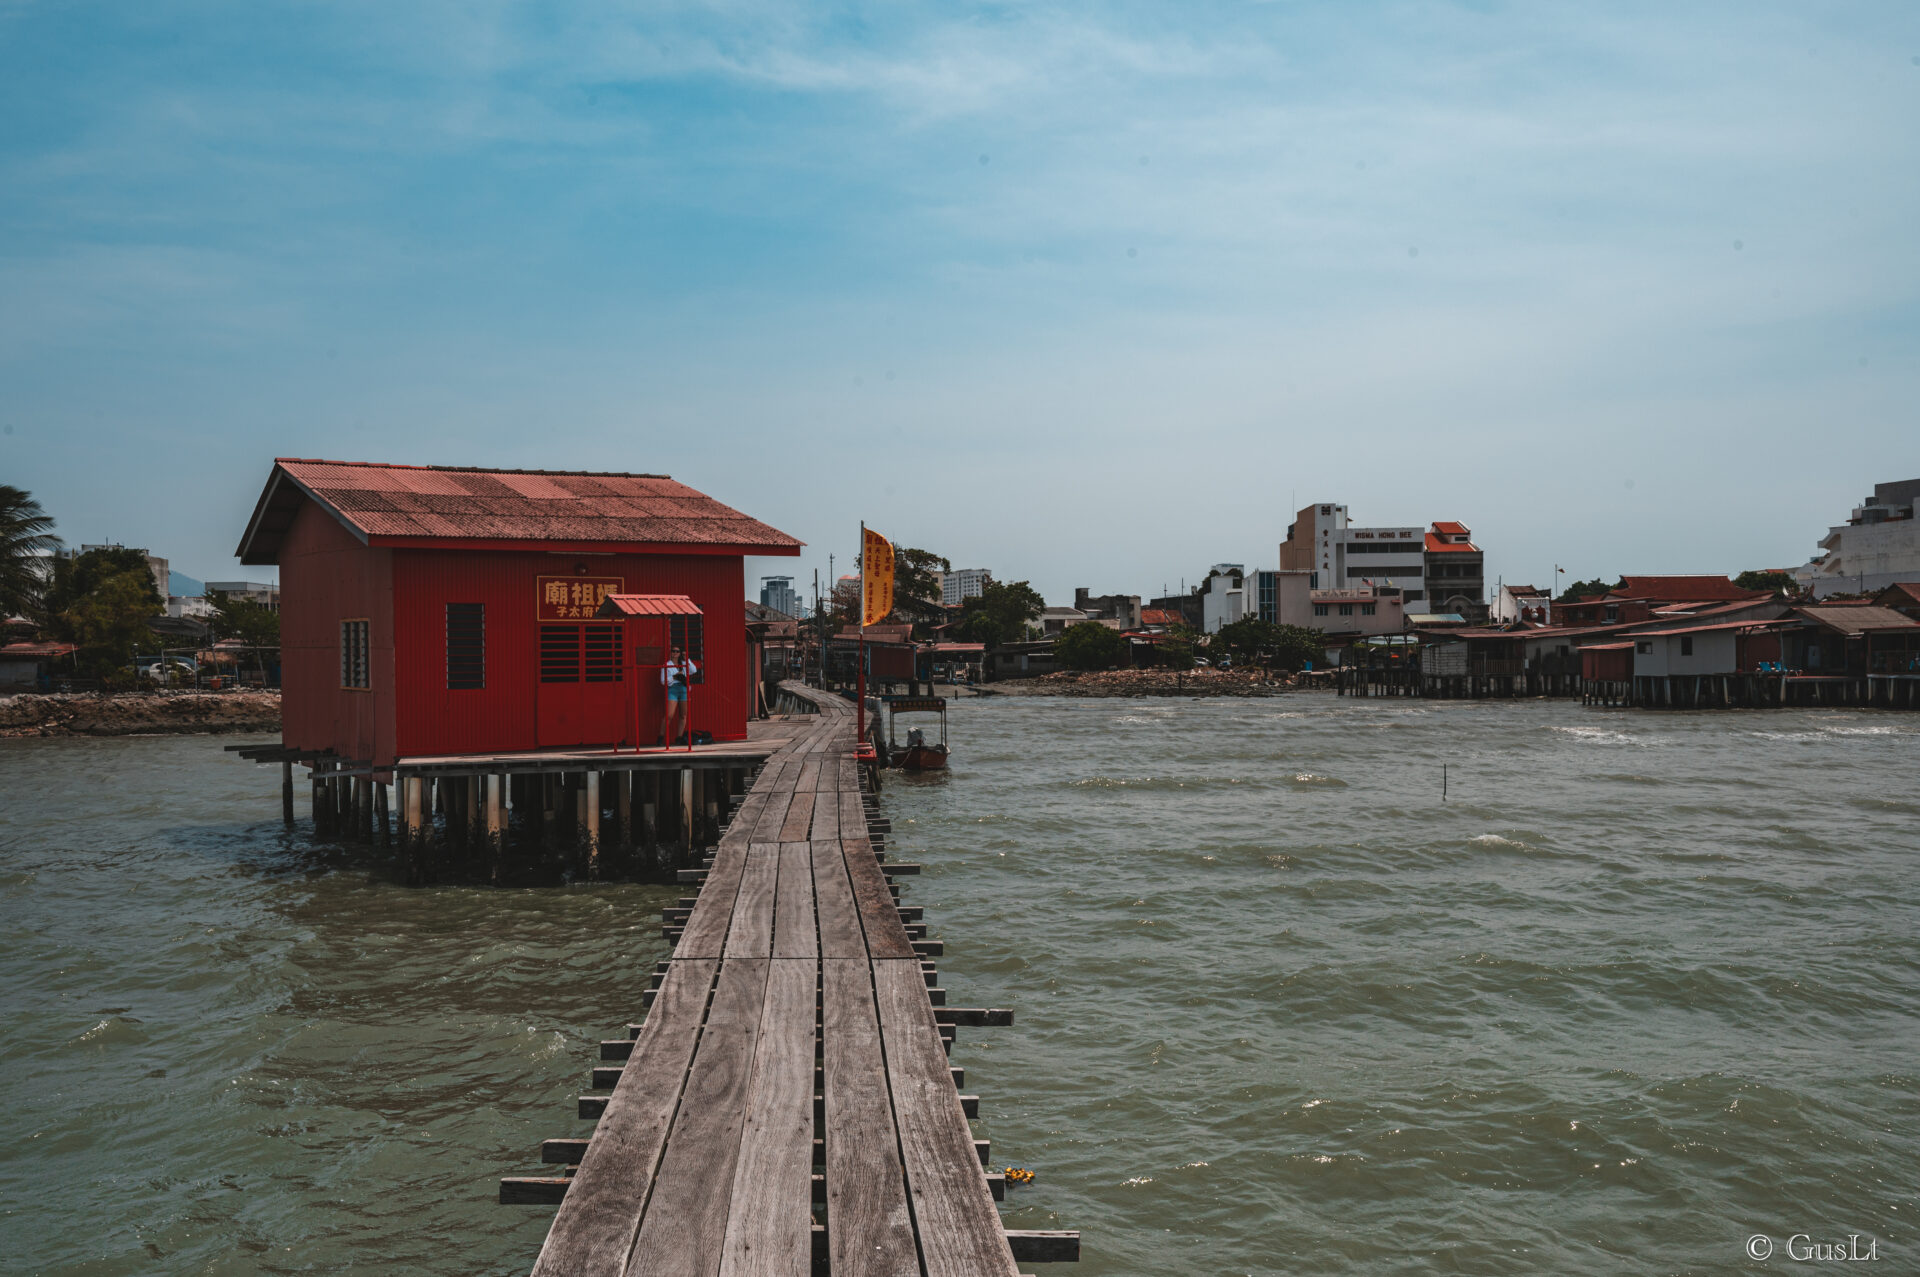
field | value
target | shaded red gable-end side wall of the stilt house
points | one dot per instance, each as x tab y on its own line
327	577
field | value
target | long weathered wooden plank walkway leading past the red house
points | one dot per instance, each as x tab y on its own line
788	1105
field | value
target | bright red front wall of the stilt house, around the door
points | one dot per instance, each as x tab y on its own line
502	717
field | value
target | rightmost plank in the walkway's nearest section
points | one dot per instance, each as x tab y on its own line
961	1232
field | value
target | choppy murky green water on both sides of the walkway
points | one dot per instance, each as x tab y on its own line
1643	988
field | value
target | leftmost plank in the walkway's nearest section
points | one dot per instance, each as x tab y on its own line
604	1205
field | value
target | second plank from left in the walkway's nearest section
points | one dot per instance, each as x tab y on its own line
684	1230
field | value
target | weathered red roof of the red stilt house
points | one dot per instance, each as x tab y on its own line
450	506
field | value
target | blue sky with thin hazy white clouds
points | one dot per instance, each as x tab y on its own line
1088	295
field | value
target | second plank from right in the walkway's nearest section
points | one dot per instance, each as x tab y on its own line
869	1228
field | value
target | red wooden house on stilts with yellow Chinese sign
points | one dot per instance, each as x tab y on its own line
454	612
